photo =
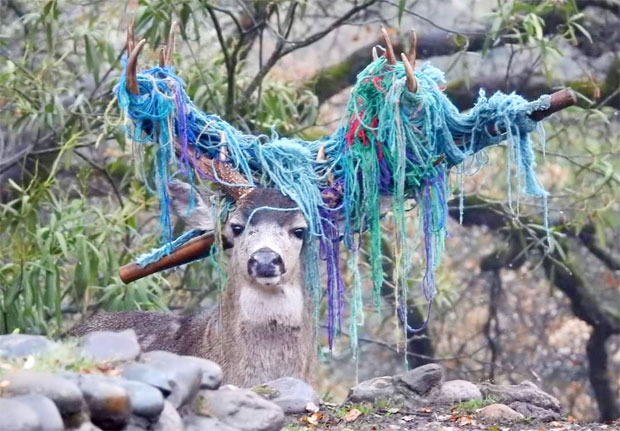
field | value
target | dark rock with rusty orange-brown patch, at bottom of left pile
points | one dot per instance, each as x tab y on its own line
109	403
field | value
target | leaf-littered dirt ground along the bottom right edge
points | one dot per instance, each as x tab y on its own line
366	418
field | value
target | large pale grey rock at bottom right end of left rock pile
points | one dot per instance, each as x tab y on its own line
240	408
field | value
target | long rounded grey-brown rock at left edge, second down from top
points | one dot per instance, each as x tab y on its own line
64	393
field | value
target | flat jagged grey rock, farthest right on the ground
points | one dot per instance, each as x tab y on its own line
526	392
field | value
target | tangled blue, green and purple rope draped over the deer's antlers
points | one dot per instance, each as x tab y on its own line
399	138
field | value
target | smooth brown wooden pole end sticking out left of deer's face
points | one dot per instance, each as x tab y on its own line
194	249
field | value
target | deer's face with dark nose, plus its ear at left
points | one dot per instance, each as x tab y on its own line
264	235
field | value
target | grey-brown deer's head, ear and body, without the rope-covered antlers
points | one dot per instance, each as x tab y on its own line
263	328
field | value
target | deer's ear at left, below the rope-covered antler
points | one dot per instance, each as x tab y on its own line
198	216
